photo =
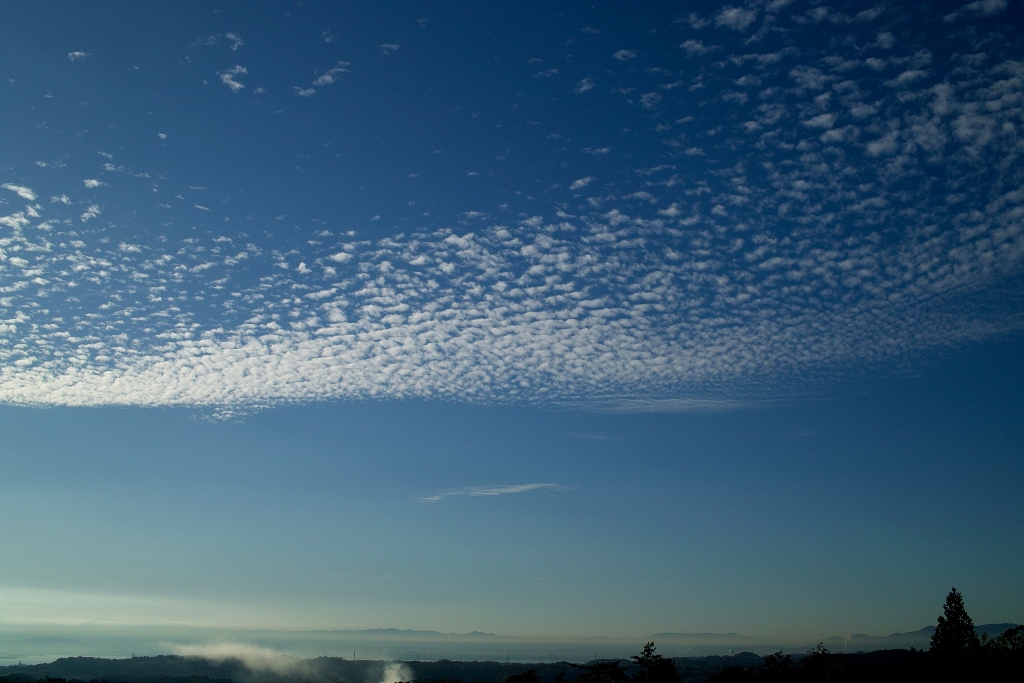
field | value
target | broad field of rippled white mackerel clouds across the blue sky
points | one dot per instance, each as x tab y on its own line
780	209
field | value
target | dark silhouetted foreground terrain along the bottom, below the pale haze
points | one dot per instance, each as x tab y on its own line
820	665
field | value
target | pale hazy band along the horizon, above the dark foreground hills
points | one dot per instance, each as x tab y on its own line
261	649
